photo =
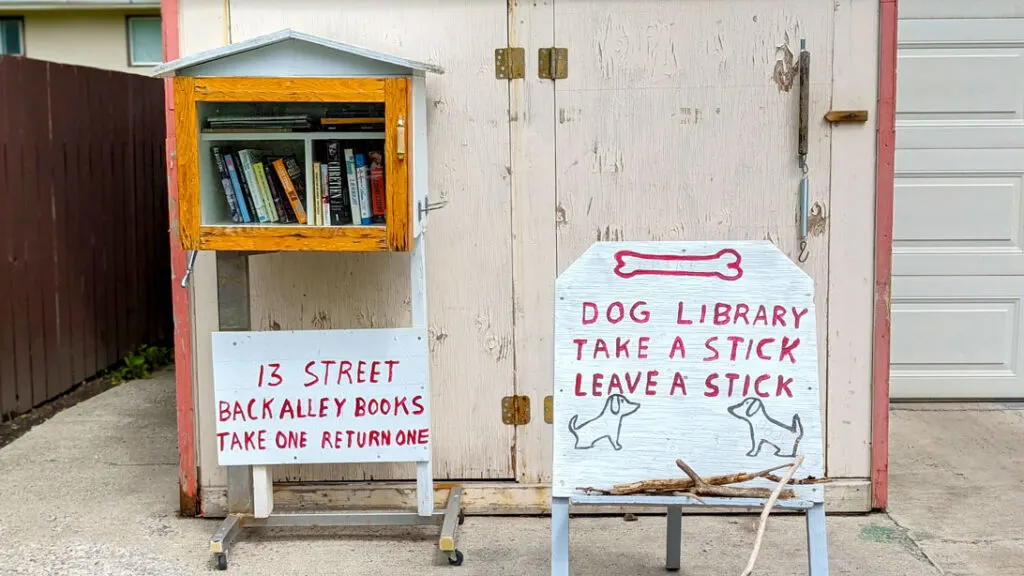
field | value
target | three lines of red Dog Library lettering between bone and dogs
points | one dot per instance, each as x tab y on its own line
741	344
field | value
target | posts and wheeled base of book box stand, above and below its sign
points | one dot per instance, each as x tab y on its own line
250	495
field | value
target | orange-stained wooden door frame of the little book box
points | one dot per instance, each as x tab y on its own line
396	93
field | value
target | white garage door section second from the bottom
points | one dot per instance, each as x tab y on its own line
950	222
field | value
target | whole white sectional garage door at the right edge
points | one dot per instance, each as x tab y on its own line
958	296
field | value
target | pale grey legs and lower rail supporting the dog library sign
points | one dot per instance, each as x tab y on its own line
818	550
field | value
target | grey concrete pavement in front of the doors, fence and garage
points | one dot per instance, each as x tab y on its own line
94	491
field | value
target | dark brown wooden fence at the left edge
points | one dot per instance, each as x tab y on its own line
83	226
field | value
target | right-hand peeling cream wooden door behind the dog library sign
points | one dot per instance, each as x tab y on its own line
678	120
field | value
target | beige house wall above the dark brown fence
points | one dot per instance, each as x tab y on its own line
96	38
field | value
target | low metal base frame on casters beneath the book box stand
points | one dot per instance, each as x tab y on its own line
450	519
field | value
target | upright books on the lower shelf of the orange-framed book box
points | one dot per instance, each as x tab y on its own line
262	188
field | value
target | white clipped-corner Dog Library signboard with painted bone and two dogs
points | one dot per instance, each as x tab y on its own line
700	351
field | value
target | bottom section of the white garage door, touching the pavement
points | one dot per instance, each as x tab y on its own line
957	338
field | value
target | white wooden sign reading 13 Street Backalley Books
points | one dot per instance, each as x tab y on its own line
322	397
